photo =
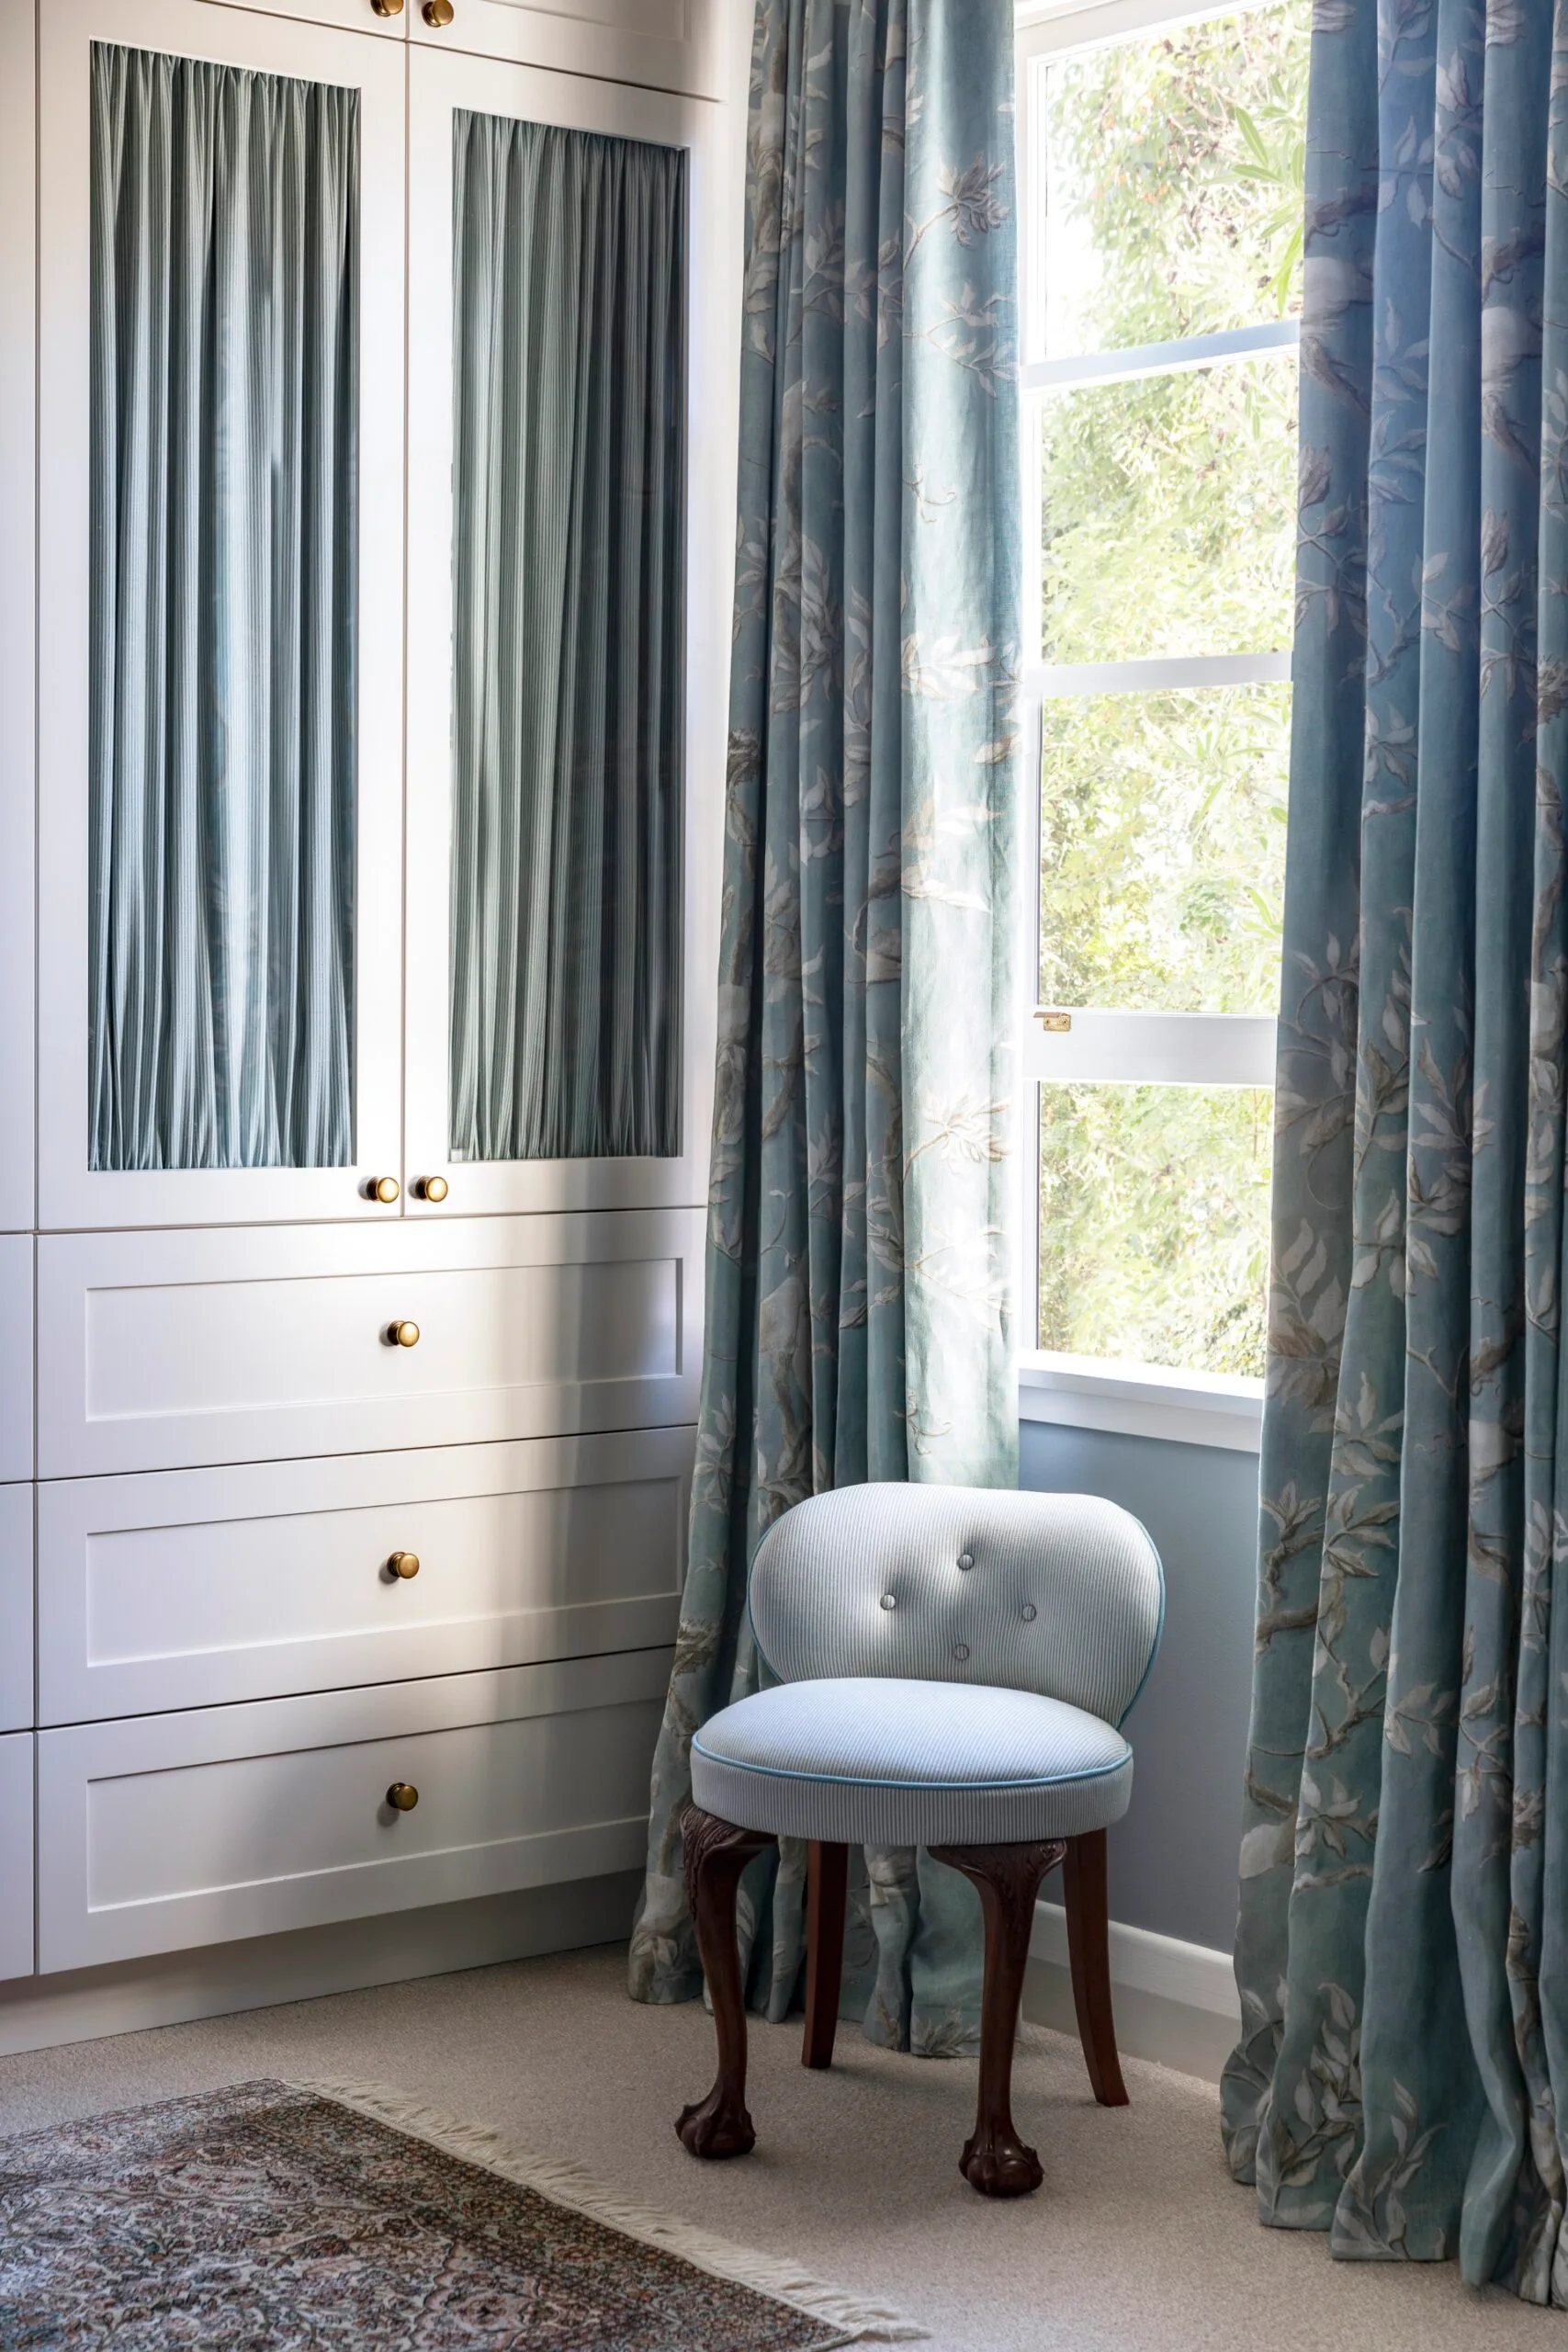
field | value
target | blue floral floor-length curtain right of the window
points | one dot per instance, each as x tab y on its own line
1405	1897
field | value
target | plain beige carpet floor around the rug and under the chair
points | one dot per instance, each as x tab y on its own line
1137	2240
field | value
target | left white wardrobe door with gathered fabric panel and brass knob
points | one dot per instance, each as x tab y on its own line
220	617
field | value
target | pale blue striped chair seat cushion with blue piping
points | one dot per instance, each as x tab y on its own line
892	1763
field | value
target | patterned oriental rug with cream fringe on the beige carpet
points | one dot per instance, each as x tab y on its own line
347	2217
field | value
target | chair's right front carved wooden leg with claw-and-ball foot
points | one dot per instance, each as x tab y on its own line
1007	1878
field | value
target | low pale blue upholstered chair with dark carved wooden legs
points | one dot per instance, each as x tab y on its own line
946	1669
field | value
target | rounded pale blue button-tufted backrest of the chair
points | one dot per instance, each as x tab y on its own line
1052	1593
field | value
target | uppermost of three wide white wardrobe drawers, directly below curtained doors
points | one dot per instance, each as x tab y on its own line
175	1349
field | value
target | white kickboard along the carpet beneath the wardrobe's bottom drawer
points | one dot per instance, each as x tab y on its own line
83	2005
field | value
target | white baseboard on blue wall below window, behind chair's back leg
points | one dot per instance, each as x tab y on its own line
1177	2003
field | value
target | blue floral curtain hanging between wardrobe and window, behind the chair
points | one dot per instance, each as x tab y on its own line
862	1182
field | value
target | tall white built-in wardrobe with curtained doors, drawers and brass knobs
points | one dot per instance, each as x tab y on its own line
361	806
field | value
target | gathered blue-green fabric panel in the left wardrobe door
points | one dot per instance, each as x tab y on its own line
225	415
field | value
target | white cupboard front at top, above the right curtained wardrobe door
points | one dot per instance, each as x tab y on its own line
662	44
